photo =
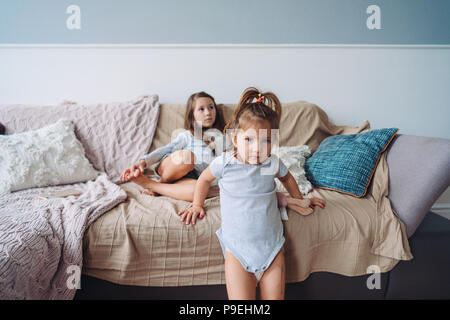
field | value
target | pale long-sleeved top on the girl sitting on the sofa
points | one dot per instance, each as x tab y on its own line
185	140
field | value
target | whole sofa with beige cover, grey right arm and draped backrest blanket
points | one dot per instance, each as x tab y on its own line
140	249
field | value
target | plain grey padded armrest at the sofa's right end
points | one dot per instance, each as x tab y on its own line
419	172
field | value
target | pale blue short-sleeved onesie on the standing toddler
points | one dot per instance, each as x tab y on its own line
251	221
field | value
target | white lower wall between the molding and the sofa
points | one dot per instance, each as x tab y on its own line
389	85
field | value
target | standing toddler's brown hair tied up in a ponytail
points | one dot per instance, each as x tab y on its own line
267	107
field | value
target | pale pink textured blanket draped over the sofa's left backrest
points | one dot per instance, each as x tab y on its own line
114	135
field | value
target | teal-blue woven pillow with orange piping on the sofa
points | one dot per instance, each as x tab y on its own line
346	163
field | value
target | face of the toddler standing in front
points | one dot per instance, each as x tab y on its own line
254	143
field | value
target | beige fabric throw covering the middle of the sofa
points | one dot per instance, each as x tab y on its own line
142	242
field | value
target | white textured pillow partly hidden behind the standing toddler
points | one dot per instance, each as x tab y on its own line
294	158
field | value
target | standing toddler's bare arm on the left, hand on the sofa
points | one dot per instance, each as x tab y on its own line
200	194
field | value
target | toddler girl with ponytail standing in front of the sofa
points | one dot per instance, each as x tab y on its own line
251	234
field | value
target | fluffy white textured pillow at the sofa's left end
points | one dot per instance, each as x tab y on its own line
48	156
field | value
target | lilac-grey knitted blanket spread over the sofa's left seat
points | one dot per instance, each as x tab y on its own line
41	239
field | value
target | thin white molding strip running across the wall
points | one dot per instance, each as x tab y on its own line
218	45
